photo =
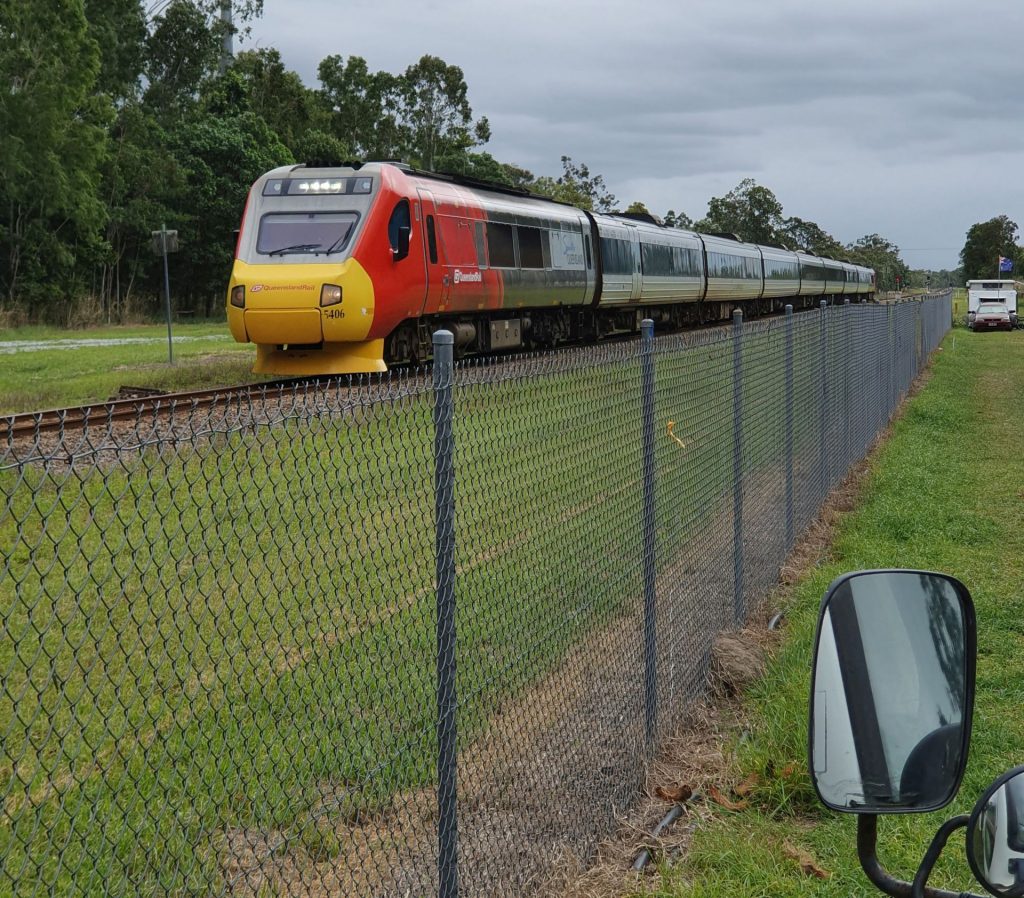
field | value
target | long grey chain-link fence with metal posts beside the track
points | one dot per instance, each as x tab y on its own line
407	636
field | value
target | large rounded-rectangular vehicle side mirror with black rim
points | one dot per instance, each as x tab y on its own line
893	686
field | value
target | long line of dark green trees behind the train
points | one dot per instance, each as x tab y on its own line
120	116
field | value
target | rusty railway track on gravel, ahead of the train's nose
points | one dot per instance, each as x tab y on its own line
76	418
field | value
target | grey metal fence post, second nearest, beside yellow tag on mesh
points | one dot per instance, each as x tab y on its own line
650	622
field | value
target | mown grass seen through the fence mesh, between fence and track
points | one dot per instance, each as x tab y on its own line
223	635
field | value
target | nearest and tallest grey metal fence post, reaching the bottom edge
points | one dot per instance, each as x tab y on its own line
448	828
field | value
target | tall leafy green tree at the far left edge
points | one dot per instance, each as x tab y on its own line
54	145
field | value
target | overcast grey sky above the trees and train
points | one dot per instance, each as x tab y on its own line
897	117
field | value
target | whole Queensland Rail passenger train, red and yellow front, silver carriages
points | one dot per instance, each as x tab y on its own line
342	271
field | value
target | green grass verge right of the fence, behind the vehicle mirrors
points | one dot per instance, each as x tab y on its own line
944	495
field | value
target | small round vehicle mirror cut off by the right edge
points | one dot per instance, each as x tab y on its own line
996	837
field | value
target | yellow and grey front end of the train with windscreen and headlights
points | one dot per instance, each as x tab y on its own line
298	289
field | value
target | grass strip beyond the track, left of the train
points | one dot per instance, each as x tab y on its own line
205	357
